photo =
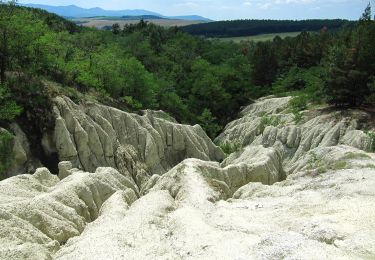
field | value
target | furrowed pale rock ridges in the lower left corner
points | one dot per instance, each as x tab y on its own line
38	213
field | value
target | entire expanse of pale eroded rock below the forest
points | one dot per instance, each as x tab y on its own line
144	187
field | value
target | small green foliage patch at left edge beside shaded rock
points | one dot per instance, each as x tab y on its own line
6	144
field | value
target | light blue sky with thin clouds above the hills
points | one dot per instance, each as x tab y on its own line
232	9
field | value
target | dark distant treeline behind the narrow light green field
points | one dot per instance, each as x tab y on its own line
238	28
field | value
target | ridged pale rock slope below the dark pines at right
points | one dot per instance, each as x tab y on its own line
269	123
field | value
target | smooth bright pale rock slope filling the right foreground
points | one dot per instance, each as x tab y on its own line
190	214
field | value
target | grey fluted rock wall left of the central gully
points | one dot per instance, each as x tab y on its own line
94	135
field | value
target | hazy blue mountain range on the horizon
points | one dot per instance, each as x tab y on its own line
73	11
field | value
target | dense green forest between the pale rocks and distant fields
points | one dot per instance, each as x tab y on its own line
145	66
